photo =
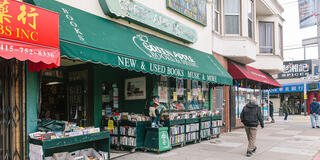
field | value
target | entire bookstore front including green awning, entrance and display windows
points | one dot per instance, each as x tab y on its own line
112	72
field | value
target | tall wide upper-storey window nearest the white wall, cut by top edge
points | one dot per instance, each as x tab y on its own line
232	16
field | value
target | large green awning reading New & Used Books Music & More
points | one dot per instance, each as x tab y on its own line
88	37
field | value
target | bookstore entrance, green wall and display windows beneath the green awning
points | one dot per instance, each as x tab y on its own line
86	93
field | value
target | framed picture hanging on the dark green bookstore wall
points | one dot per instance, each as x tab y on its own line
135	88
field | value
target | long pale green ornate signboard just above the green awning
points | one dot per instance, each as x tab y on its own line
140	14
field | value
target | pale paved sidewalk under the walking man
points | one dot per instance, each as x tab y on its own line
284	140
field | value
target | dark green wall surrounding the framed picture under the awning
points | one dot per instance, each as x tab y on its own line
116	75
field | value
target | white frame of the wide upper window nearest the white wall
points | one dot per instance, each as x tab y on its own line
232	14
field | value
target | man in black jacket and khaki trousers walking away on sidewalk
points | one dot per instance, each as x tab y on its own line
250	117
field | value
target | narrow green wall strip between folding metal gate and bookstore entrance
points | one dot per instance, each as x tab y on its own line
32	96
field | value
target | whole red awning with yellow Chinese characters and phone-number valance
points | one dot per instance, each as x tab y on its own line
29	33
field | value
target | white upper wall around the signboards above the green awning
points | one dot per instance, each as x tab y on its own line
204	38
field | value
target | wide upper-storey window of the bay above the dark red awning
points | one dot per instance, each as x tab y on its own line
266	37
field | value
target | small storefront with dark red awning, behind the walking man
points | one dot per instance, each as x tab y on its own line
249	82
